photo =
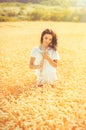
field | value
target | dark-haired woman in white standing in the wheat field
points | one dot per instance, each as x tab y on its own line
44	58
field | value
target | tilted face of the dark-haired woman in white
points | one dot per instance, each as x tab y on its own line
47	39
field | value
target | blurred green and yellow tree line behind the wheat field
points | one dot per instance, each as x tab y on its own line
41	10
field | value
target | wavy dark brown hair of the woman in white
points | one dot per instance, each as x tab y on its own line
54	43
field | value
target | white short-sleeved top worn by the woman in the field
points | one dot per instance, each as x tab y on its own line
48	73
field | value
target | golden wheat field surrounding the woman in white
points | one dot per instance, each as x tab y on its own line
24	106
